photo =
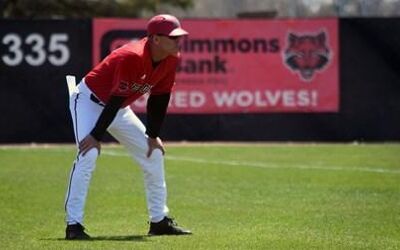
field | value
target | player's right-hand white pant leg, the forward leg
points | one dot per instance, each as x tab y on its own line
130	132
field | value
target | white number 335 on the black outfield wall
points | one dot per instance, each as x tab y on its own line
57	51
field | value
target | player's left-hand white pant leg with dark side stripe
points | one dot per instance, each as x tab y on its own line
84	114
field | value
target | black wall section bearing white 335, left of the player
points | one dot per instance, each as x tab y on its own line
35	56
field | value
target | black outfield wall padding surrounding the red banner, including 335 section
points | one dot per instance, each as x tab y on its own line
34	103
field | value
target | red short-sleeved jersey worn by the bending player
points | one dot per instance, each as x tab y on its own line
128	72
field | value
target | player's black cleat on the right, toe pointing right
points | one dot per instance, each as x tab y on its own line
167	226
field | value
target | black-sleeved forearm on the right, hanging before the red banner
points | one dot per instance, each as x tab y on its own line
156	109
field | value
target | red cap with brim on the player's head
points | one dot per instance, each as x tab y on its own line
166	25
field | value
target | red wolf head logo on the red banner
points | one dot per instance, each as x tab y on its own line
307	54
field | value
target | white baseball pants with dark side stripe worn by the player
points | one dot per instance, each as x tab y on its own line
130	132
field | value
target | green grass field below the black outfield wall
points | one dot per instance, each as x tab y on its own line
254	196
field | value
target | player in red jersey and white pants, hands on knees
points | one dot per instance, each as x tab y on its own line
101	102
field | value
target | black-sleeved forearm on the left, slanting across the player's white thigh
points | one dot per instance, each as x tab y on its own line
107	116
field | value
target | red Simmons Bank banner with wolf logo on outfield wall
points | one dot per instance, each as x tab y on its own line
244	66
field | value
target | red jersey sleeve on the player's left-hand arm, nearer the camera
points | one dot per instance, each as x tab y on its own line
124	73
